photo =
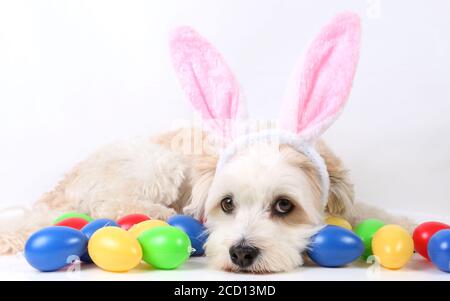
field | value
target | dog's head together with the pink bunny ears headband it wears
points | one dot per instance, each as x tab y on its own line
264	202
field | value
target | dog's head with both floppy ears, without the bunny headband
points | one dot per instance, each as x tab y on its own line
263	206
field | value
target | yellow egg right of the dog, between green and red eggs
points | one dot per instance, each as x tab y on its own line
393	246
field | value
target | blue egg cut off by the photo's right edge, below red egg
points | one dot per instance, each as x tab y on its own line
439	250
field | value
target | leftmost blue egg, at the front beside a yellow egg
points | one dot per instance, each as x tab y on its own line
52	248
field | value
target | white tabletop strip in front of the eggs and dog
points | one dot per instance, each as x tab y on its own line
16	268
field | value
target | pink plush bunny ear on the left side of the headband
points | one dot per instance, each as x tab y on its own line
206	79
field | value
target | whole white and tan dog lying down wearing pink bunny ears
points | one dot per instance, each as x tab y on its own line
262	192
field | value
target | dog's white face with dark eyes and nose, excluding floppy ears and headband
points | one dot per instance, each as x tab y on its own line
261	214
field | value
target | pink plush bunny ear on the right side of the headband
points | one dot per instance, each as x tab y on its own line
320	87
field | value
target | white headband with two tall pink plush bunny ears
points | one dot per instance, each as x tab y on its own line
316	93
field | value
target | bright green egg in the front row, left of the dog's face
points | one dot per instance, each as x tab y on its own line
165	247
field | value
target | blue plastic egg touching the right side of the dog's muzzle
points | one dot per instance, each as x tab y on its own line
334	246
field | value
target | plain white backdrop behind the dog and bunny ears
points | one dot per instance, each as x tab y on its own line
77	74
